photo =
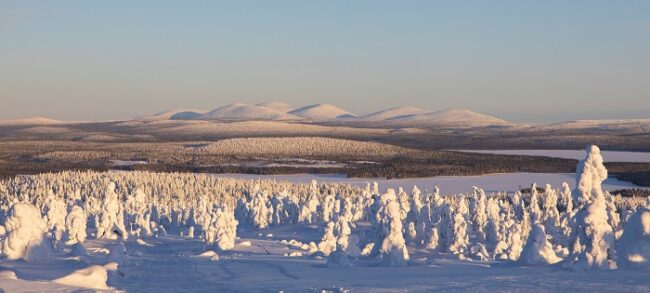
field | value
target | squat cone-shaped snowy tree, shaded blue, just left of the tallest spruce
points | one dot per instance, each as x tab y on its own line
538	251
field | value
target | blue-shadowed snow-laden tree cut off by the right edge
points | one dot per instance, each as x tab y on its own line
633	250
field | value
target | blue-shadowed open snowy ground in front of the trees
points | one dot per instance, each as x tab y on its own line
172	264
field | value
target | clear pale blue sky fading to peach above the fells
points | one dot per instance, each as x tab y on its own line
525	61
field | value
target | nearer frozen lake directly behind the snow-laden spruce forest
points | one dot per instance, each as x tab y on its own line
448	184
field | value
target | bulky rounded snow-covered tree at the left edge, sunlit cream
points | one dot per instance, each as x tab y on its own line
26	234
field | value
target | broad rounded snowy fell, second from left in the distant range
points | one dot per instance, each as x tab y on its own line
240	111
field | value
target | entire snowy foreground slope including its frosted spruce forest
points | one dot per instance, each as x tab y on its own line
274	235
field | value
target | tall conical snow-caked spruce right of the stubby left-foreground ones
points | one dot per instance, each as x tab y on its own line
110	224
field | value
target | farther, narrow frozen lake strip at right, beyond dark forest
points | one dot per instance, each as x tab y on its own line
609	156
